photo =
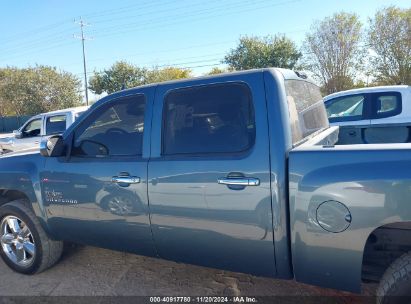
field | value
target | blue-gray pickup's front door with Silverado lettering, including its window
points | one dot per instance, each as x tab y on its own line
98	195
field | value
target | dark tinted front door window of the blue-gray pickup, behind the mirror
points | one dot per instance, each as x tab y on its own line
115	130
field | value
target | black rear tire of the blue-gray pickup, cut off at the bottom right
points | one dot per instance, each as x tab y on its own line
395	285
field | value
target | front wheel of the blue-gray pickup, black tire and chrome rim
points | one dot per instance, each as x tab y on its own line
25	246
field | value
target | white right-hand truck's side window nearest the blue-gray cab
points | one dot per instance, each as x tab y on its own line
347	106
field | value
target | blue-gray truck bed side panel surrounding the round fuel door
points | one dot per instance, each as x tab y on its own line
372	181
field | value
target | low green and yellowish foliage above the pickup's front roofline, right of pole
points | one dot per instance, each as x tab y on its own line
125	75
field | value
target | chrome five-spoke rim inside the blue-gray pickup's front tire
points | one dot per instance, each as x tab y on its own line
17	241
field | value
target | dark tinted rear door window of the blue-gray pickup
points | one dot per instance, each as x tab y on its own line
208	119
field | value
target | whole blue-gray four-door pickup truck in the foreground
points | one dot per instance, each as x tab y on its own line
238	171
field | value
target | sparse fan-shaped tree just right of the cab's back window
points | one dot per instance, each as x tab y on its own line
333	52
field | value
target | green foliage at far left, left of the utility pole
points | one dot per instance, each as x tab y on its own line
35	90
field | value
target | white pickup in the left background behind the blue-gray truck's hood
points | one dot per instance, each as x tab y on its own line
31	132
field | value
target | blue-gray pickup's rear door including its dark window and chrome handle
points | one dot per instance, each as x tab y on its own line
208	175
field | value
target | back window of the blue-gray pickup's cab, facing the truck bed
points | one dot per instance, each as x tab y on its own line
306	109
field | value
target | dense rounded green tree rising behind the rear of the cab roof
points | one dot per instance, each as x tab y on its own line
255	52
